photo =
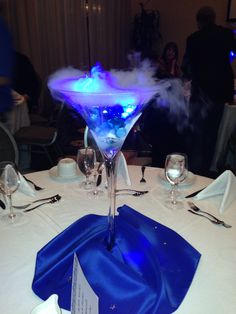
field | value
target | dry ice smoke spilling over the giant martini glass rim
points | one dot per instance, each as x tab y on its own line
169	93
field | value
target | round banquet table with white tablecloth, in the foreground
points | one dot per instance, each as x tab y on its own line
214	284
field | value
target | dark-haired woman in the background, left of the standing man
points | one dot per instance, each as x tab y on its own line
167	65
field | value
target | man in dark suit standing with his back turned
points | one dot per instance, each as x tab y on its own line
206	63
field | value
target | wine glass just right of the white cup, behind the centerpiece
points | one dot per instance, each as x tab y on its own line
86	159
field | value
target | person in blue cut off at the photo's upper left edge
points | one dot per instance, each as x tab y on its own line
6	66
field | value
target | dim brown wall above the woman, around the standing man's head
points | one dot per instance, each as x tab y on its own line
177	18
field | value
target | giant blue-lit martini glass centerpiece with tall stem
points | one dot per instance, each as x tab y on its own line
110	111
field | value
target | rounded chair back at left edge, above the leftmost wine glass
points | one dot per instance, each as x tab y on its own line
8	146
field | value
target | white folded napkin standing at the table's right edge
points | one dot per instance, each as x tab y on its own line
224	187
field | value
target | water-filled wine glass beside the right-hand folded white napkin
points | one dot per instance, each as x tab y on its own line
175	172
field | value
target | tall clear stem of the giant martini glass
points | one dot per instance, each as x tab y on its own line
110	165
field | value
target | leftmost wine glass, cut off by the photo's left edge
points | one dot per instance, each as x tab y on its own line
9	182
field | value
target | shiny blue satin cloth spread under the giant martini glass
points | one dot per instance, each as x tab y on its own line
148	271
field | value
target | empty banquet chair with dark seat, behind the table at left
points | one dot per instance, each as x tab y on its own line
42	139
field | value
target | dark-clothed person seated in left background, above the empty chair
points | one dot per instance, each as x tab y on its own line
26	83
